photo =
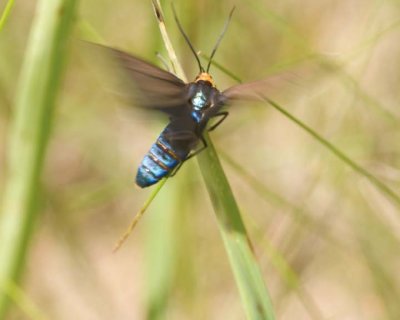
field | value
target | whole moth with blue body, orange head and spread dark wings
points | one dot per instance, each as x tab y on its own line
189	106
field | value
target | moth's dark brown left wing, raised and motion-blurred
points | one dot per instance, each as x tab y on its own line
151	86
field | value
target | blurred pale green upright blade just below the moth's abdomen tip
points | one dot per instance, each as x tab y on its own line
163	239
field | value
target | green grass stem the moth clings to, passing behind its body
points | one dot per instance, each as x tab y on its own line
254	294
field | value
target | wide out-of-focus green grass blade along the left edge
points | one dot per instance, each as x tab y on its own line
38	87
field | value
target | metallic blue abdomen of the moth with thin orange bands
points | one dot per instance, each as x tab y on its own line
157	163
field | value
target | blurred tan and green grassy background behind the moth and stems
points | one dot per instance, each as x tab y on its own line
326	239
